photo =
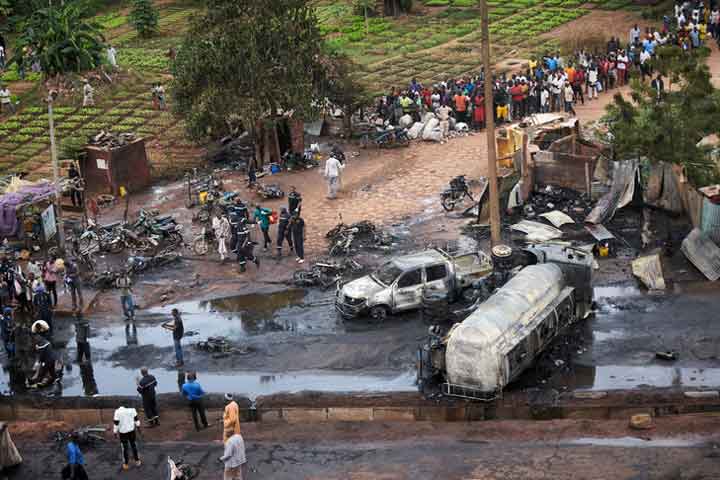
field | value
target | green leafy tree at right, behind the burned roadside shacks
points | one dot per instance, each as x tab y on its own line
668	129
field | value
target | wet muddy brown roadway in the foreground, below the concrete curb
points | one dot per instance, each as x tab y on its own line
677	448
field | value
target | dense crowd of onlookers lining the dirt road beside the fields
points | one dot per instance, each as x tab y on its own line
553	83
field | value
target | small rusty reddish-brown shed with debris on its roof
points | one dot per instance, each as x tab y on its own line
105	169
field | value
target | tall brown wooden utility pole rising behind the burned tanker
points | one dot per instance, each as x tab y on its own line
490	124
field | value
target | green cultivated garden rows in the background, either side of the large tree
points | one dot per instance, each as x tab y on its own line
440	39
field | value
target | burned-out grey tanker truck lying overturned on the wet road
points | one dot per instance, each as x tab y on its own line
537	293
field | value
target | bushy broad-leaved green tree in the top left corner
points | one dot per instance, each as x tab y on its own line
60	39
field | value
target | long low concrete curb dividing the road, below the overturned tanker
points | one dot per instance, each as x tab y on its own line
324	407
